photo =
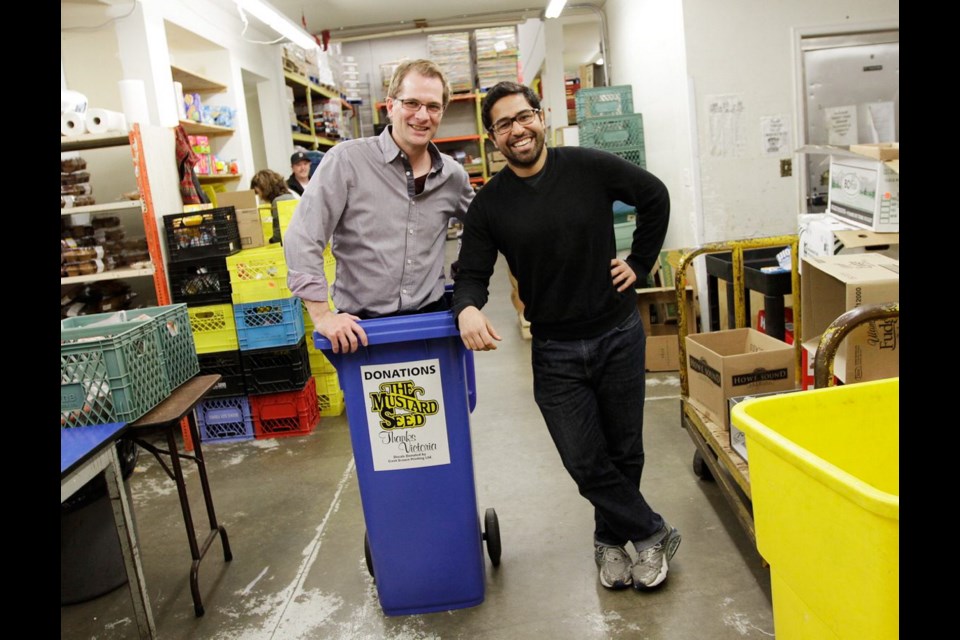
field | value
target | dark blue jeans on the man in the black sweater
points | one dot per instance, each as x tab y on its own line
591	395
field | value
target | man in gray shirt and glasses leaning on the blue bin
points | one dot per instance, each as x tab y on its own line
384	205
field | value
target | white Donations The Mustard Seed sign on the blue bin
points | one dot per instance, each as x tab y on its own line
405	417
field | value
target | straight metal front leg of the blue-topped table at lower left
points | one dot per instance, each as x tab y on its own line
129	547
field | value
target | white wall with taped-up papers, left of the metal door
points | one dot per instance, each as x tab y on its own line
682	56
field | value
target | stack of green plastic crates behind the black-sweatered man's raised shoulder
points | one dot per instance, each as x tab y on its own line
606	121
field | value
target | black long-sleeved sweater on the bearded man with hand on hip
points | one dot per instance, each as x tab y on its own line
556	234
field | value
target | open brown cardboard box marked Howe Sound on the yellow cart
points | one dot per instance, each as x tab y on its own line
726	364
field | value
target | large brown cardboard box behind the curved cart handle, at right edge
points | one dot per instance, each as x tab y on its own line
832	285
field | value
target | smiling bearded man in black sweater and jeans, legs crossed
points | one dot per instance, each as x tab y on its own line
550	213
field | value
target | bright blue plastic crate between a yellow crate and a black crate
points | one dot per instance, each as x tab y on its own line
270	323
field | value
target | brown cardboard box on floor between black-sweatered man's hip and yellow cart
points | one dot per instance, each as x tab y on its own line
657	308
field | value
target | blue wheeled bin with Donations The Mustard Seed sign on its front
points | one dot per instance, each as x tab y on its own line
408	397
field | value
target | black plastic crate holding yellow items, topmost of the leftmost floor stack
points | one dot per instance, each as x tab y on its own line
202	234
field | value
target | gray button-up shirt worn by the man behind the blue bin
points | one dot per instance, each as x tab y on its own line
389	243
